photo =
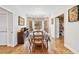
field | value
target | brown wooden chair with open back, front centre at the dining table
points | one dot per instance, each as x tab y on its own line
38	38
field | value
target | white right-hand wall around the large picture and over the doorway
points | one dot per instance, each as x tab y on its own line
71	31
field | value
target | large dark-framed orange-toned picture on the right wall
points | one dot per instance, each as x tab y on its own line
73	14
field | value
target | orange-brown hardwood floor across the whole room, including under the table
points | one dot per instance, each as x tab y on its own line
59	49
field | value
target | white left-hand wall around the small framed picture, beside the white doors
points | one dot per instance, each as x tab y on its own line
16	12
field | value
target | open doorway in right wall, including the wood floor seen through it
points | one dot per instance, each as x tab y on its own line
59	31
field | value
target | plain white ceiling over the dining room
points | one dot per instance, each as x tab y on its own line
46	10
